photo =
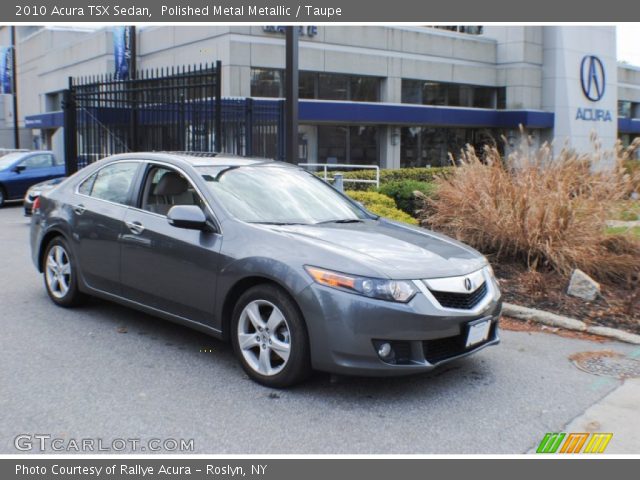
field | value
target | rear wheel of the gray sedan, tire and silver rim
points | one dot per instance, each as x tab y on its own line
60	274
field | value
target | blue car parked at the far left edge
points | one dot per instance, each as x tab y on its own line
21	170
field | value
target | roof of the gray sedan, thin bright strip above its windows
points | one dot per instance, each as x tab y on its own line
202	159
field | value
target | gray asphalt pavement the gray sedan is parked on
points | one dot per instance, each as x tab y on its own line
104	371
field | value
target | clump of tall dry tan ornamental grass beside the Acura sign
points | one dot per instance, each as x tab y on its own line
546	211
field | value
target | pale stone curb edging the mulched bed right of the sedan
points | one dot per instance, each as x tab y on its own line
560	321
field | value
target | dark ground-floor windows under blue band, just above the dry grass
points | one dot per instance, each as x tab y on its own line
431	146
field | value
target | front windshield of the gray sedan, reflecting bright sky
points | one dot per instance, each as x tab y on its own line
278	195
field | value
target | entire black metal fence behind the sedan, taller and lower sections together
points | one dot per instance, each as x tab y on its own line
177	109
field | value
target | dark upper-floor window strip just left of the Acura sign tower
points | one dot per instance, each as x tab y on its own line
452	94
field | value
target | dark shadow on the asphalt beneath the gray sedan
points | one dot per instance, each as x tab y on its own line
443	380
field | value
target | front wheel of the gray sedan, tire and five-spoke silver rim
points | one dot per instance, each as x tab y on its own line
270	337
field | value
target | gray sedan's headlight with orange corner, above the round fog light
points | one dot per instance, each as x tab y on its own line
392	290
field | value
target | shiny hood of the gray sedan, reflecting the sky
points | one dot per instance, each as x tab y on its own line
394	250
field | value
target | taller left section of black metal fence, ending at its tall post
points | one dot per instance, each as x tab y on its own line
175	109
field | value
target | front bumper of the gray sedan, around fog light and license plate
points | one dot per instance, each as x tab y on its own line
345	328
